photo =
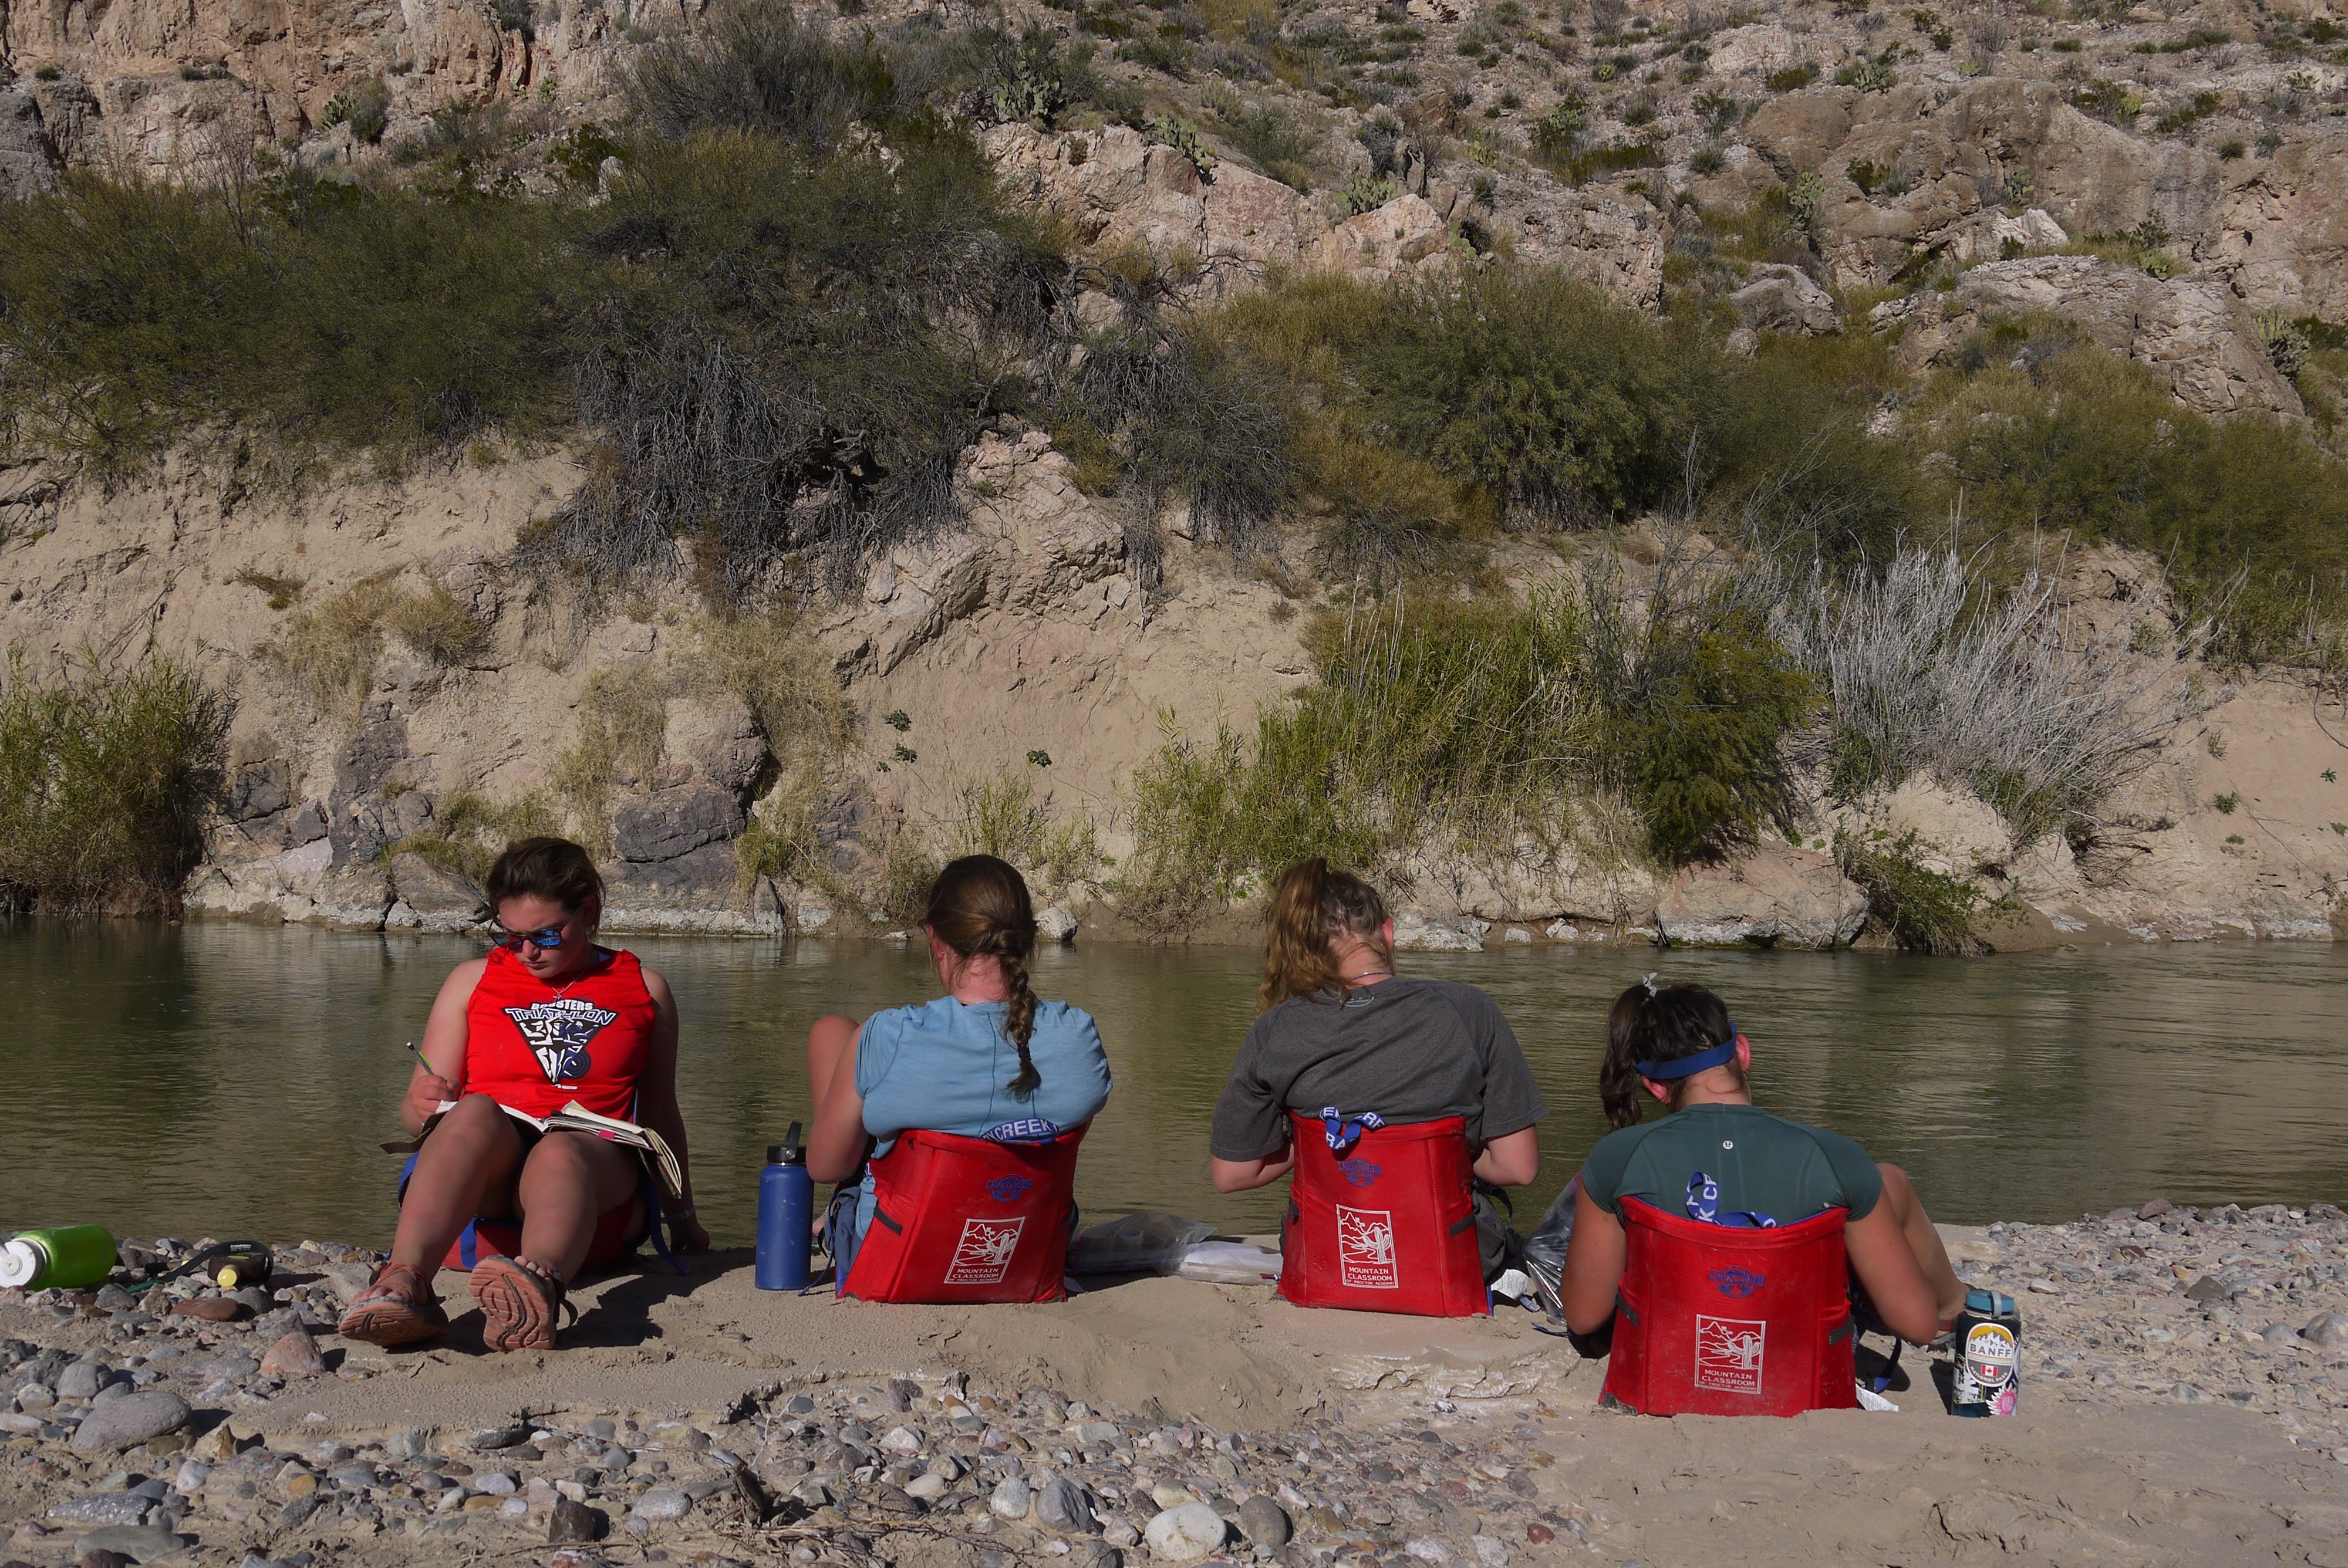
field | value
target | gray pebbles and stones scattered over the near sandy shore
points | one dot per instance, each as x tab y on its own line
163	1419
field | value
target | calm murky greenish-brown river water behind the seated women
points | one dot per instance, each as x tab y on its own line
238	1081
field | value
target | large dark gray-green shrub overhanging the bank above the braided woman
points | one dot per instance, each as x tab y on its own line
809	360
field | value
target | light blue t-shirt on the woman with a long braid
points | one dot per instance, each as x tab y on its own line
947	1067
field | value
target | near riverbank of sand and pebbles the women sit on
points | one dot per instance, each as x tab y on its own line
2182	1405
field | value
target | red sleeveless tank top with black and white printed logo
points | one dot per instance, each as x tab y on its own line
537	1048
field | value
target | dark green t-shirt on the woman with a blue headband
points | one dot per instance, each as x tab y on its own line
1765	1165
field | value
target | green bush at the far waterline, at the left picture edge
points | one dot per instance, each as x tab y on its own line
107	776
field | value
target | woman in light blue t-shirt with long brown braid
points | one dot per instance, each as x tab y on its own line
983	1062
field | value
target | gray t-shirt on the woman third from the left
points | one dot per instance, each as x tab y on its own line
1412	1050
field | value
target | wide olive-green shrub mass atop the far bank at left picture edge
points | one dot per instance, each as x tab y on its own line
332	318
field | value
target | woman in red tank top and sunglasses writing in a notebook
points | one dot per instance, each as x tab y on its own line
546	1020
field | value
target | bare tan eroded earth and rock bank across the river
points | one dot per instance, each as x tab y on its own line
1011	649
